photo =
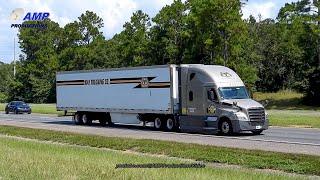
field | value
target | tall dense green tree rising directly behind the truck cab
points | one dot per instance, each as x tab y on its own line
220	36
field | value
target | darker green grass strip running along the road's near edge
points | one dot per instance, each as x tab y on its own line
297	163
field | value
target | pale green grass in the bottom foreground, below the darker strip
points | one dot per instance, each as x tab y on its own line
21	159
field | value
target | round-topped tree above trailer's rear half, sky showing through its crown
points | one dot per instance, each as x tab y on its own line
83	42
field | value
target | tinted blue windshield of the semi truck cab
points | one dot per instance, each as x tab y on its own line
233	93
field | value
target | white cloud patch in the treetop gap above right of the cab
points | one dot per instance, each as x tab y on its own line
265	9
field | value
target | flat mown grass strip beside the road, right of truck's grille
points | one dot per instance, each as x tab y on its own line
297	118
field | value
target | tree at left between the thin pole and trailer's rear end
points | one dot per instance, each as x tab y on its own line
36	70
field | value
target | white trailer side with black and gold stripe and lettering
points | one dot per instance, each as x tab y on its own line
136	90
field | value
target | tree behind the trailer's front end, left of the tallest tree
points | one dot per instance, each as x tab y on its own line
170	33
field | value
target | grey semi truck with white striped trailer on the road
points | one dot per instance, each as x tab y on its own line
187	97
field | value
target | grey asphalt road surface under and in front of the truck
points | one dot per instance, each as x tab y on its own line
289	140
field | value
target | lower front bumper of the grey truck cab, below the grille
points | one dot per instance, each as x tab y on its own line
239	126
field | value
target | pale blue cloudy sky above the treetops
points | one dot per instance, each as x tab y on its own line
113	12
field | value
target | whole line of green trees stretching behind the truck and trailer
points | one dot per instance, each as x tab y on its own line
269	55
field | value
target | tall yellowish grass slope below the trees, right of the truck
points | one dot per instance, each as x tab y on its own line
284	100
